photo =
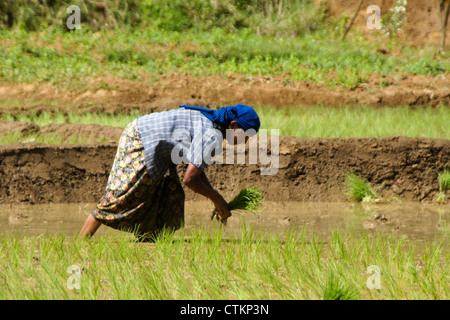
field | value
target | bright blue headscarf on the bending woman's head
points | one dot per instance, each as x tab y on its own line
245	116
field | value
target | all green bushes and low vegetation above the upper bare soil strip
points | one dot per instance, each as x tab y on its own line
142	39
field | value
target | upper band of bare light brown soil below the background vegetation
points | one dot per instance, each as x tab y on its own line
171	91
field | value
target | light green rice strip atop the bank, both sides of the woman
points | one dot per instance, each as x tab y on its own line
299	121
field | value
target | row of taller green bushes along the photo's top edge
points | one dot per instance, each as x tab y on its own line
265	17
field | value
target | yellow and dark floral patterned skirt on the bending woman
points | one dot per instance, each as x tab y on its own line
132	201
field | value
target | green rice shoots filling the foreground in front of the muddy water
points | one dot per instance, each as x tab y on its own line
208	265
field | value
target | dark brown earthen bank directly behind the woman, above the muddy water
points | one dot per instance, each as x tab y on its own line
310	170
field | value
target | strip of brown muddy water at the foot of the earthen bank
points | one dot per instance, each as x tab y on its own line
416	221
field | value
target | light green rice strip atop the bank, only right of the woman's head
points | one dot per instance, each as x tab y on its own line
339	122
